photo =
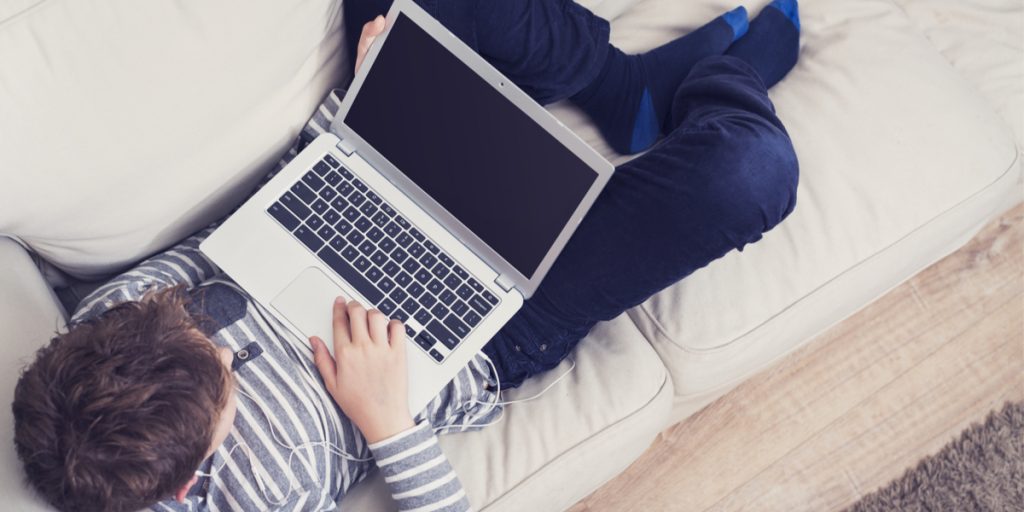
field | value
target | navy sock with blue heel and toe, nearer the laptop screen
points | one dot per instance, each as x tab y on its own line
631	97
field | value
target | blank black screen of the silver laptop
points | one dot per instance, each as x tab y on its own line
471	149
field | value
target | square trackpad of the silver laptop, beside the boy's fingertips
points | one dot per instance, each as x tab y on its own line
309	305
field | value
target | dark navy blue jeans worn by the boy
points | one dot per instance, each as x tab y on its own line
726	175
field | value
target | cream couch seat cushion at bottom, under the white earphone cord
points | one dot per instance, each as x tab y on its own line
550	453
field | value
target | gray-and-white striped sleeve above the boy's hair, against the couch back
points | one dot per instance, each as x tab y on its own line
184	264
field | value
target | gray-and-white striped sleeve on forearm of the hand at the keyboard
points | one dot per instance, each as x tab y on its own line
418	474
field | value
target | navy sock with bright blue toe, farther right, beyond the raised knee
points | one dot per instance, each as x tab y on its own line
773	41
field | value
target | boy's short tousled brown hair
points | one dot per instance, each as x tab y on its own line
118	413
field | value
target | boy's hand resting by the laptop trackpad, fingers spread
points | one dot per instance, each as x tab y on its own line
369	379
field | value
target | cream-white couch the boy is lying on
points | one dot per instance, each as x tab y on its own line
125	126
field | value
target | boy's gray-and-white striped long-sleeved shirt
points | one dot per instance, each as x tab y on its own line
291	448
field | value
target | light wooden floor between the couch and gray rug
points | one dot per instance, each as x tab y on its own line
860	405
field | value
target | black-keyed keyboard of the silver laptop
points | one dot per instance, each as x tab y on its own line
383	257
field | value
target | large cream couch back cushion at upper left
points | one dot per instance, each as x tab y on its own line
127	125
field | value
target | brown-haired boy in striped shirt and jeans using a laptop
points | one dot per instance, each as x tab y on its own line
173	390
